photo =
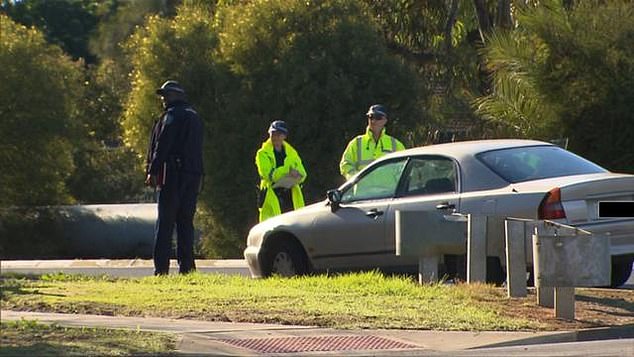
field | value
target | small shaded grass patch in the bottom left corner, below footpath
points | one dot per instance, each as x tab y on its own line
29	338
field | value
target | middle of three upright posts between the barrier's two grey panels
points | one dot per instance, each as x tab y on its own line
515	258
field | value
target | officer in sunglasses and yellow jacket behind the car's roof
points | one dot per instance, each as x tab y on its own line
364	149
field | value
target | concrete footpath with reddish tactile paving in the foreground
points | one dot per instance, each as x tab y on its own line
239	339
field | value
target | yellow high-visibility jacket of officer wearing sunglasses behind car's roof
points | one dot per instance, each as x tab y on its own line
363	149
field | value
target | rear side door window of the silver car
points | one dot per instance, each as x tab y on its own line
428	176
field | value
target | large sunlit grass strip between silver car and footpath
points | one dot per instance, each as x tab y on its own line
363	300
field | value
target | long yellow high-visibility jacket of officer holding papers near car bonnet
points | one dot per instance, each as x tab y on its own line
269	174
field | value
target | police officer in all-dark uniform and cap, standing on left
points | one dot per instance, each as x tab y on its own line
174	166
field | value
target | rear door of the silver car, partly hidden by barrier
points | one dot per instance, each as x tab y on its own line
429	183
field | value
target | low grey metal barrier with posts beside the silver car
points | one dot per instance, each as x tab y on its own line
563	257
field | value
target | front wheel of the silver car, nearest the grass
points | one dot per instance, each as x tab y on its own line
285	259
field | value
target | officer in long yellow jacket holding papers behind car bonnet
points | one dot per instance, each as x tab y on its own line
281	173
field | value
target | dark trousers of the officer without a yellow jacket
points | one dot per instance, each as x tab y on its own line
176	207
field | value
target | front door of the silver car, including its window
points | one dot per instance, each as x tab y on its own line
352	236
